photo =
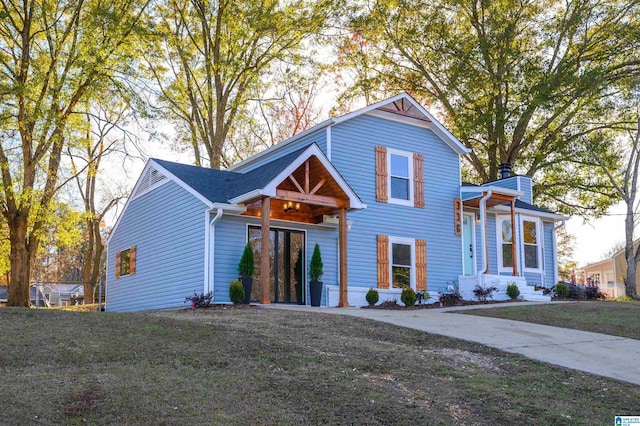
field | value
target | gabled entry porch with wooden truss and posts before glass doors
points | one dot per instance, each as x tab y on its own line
307	189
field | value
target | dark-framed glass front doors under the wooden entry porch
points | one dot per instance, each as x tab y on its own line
287	266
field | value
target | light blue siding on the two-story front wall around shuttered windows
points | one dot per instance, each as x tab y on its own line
353	154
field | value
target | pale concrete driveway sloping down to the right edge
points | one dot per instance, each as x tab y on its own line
608	356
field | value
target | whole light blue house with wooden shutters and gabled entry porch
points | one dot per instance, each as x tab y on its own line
379	189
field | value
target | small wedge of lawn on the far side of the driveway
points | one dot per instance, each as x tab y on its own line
614	318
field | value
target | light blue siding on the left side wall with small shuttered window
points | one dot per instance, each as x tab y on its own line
167	227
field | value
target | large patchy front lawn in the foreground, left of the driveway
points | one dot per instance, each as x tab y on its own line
264	366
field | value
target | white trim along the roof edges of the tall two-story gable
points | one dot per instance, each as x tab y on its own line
435	126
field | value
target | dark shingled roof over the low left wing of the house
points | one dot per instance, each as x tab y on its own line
219	186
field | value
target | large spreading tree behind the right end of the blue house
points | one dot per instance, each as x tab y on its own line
518	81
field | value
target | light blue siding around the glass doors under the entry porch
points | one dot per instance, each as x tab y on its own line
231	237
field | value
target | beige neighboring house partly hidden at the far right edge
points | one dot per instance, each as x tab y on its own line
610	274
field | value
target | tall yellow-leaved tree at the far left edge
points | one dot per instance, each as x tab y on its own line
52	55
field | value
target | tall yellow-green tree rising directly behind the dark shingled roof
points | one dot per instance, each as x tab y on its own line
211	57
